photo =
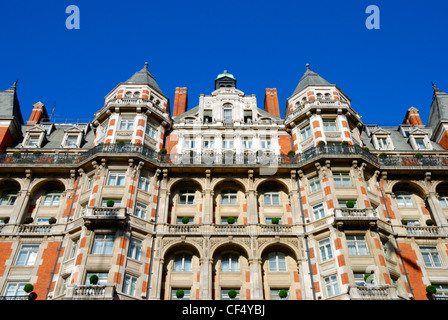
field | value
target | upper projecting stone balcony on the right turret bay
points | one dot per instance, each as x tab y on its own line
355	217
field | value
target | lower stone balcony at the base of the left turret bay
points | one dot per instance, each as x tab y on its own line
90	292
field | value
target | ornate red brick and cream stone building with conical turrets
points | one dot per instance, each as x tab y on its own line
223	198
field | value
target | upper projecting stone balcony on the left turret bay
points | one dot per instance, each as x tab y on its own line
96	217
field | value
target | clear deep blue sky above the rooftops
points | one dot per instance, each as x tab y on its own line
264	44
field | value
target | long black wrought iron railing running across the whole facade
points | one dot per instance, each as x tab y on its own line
227	158
